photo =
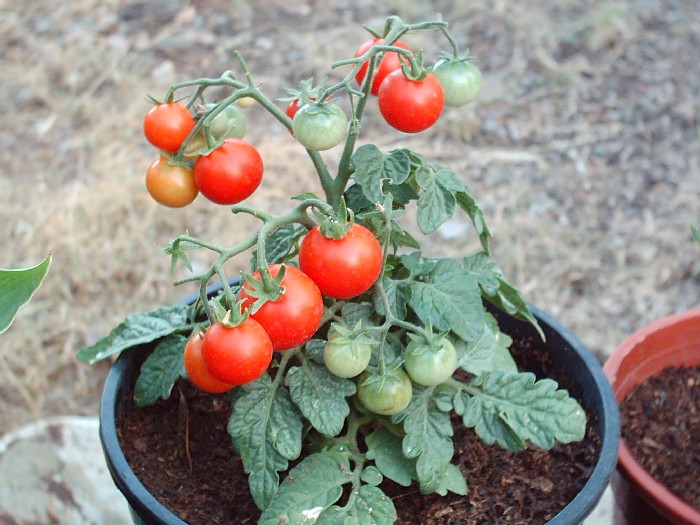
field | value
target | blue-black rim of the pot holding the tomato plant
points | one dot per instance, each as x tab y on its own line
145	504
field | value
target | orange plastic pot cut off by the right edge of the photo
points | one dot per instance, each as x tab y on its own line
672	341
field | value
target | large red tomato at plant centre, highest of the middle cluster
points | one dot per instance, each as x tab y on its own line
342	268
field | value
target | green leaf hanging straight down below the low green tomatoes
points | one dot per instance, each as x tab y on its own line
428	438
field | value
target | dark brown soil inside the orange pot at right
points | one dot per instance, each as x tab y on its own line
661	426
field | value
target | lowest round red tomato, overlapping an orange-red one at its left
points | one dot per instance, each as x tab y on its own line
239	354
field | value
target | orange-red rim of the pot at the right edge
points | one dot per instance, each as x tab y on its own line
658	495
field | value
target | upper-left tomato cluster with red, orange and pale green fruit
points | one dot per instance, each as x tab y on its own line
226	175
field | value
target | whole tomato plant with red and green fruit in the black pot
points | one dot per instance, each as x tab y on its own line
367	324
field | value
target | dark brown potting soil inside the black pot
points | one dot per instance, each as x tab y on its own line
202	480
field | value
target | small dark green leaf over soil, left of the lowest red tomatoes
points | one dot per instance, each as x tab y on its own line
160	370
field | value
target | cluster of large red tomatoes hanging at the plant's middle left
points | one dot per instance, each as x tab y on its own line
226	356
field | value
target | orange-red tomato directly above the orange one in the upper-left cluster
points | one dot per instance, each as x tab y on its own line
167	125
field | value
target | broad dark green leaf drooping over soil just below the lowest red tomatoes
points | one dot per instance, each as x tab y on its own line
266	428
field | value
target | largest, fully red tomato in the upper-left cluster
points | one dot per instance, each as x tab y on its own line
230	173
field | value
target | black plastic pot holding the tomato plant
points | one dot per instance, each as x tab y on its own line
567	353
